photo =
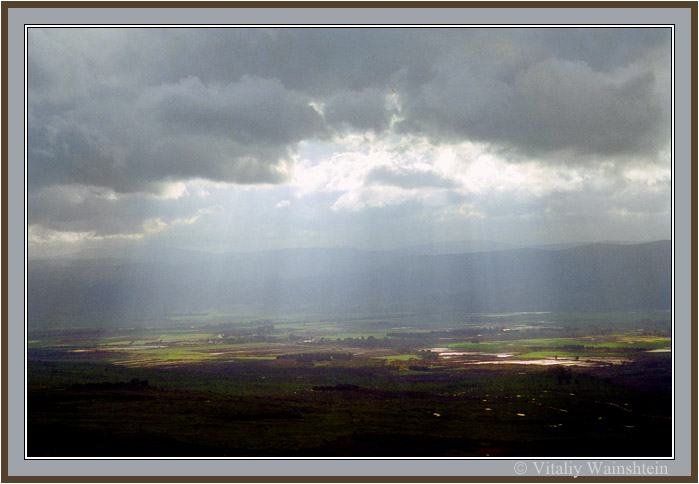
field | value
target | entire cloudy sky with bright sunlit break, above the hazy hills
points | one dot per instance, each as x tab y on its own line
230	139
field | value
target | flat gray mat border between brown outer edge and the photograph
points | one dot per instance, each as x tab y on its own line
18	17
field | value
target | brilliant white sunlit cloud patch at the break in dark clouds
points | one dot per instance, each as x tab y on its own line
465	168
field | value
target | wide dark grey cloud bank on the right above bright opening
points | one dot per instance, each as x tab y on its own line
550	107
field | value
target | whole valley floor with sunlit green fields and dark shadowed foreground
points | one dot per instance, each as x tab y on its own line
520	384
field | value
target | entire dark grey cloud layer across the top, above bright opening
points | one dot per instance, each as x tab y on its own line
124	108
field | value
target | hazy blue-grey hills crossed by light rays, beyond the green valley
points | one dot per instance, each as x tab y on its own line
419	280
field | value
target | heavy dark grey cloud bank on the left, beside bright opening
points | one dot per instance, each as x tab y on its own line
243	132
